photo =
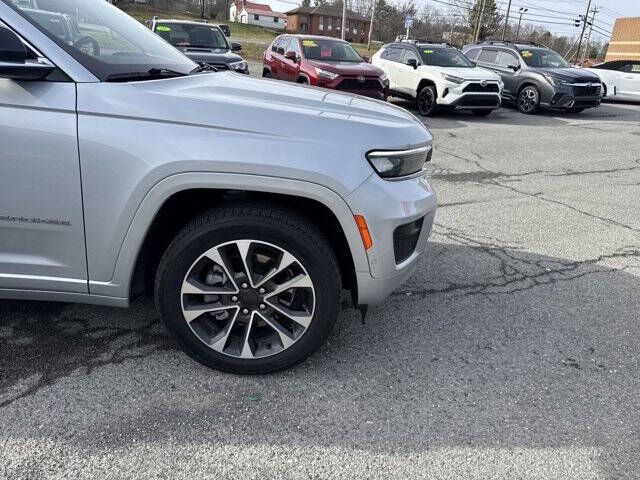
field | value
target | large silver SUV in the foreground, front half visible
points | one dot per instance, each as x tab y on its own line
245	204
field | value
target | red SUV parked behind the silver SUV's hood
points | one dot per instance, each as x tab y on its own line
325	62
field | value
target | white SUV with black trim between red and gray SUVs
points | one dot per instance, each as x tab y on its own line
438	75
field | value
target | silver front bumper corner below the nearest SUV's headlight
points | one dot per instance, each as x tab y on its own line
387	206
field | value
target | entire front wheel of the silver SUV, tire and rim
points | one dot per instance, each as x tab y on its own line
249	289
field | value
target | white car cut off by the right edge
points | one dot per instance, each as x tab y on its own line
620	79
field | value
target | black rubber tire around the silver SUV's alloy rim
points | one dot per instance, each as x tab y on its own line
267	223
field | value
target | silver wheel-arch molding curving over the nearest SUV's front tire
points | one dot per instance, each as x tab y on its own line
119	285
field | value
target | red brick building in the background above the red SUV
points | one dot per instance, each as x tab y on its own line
327	20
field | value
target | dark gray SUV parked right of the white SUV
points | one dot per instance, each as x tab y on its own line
536	77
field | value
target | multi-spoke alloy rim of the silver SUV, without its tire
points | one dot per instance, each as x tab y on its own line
248	299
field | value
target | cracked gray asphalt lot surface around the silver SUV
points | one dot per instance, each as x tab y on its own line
511	352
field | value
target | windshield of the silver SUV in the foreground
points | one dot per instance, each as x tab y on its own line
103	38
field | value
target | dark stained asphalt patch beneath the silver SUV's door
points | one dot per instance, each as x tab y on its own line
54	347
